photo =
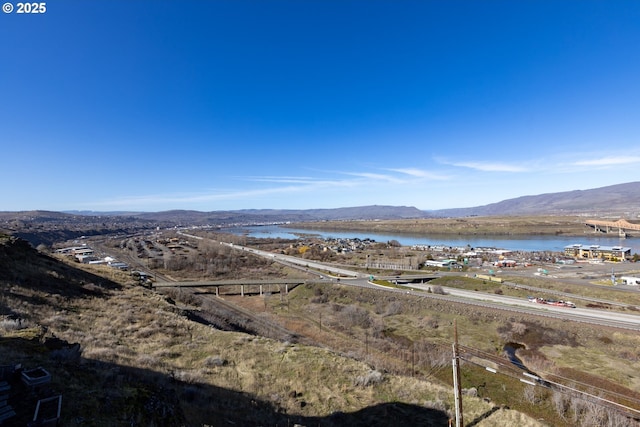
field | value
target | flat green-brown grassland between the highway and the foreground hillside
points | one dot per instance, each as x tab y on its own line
485	330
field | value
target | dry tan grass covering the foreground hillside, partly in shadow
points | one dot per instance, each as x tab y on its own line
136	346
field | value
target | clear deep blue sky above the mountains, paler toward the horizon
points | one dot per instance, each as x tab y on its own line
214	105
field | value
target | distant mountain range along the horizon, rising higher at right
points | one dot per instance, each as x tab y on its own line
620	200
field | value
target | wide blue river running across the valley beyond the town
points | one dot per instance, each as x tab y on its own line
514	243
